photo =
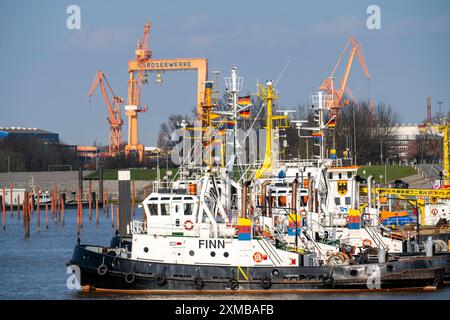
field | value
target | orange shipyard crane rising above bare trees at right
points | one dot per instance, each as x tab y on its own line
334	95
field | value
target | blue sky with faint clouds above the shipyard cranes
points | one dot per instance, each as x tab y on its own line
46	70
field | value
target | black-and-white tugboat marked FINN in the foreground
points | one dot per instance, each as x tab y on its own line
188	243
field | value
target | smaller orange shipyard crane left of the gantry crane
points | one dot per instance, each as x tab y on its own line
114	113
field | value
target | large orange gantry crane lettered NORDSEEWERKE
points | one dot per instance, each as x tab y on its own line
138	69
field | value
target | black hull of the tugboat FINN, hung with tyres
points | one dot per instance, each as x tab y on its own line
129	275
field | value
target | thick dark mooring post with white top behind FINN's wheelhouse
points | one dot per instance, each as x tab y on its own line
124	209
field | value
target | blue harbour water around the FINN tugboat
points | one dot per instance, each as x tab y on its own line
35	268
